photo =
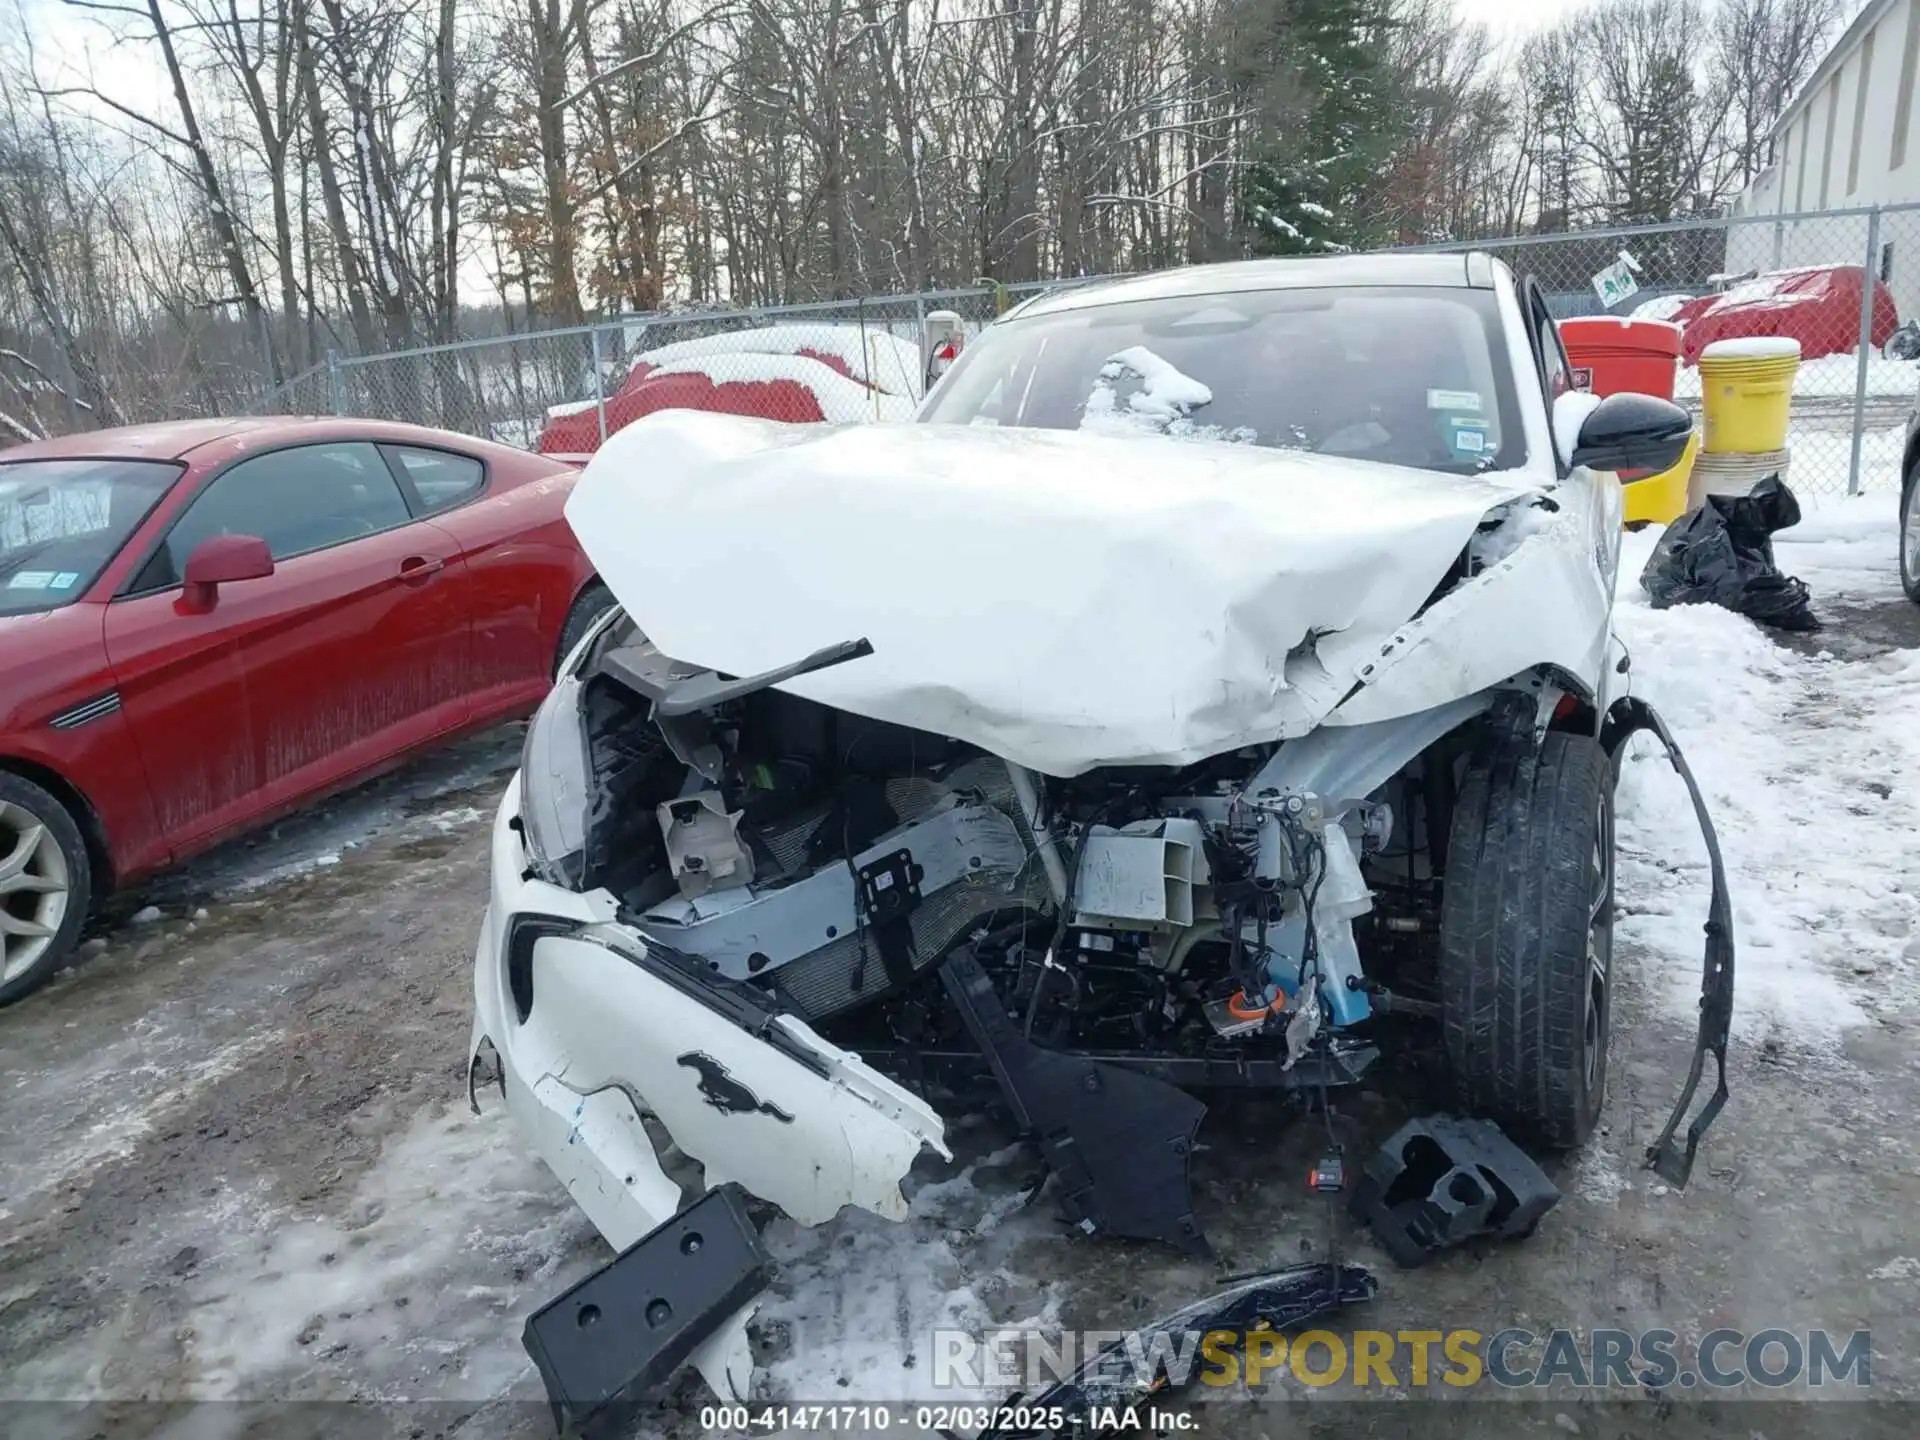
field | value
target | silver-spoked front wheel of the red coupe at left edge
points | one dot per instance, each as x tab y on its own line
45	886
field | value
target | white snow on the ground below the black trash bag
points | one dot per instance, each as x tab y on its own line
1808	767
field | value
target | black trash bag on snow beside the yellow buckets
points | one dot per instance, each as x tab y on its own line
1723	554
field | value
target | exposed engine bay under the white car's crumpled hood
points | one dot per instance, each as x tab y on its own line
1191	915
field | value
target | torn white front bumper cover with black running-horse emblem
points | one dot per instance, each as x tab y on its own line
592	1036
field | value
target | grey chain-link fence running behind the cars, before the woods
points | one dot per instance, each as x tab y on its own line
1846	285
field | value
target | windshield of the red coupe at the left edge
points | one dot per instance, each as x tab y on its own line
62	521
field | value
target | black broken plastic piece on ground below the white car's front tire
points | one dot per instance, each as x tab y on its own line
1441	1182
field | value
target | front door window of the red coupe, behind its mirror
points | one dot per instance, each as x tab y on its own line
297	500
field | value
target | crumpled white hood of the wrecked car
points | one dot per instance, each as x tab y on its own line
1057	598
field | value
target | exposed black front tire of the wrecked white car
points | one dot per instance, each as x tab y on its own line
1527	940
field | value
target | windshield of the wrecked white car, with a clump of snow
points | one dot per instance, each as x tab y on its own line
1406	375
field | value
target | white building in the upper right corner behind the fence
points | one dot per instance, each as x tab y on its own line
1846	141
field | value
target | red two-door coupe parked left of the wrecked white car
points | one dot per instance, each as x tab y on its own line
208	625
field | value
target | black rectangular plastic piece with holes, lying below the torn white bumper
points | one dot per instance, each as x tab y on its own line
619	1335
